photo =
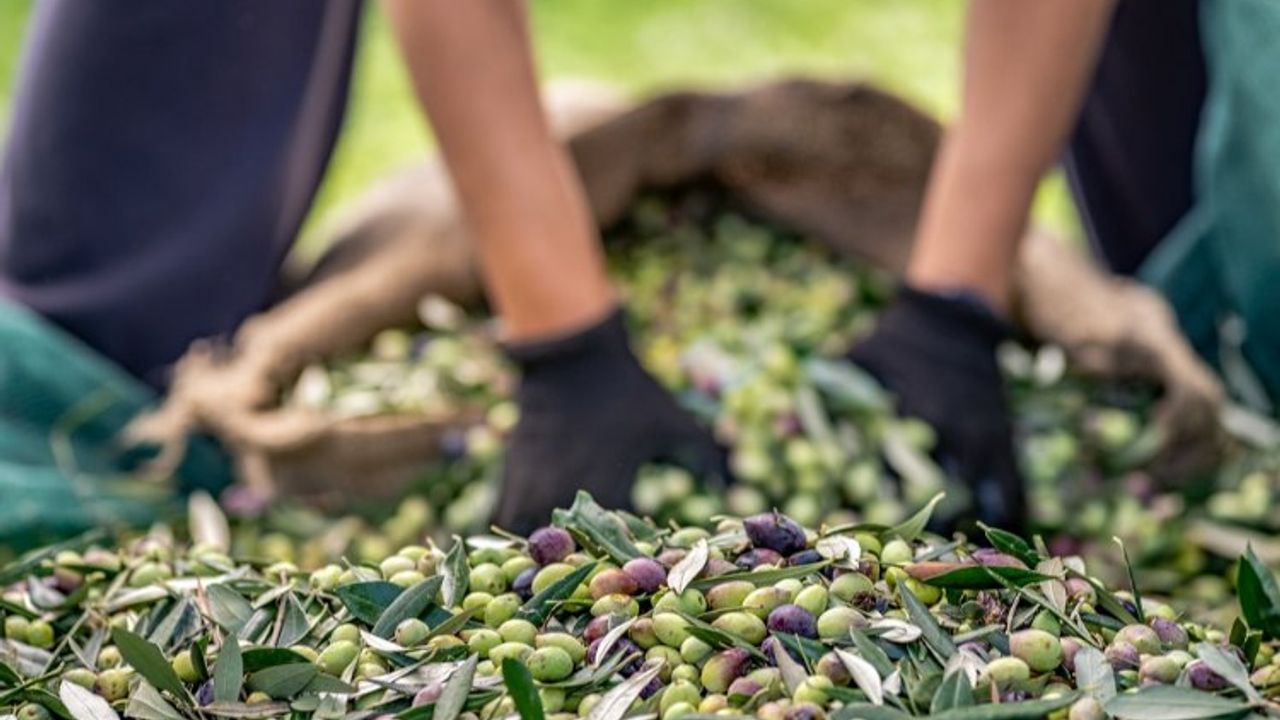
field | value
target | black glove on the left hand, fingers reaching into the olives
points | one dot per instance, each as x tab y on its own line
589	418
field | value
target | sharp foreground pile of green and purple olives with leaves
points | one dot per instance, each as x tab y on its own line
604	616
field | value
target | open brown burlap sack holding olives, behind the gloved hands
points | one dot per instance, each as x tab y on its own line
844	163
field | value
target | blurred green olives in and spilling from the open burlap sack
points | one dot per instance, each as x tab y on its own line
747	326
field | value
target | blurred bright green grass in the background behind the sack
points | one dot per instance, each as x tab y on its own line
911	47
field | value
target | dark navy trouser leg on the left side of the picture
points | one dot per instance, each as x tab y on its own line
161	160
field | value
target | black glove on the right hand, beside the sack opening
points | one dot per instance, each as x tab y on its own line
938	356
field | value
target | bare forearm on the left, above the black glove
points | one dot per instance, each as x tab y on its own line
540	254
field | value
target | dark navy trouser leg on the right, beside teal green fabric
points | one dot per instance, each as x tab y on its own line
1131	157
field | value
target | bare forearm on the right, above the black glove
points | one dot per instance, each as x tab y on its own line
1027	66
